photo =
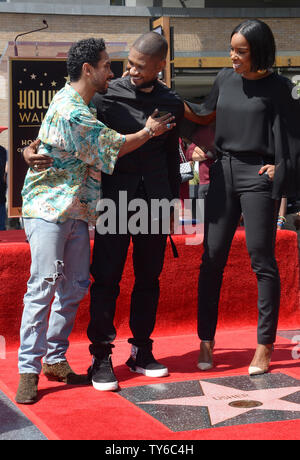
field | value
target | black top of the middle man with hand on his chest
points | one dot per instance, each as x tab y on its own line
126	109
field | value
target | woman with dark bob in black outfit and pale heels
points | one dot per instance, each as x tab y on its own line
257	143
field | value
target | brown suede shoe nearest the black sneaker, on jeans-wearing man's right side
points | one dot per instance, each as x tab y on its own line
62	372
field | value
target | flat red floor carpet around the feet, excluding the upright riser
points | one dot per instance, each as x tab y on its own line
66	412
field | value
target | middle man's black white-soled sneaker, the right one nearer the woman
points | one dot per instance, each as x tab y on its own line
143	362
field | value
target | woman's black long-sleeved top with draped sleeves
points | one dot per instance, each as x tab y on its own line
258	117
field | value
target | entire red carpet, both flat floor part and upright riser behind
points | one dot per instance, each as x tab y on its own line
65	412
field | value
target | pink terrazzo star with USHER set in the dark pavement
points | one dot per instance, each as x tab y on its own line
225	403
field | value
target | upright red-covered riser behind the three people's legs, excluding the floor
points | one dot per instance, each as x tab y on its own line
177	307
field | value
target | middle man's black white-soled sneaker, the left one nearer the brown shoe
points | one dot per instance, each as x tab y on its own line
102	375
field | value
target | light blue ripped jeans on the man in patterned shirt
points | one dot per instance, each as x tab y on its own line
60	267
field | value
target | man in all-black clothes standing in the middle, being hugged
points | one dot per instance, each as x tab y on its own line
150	172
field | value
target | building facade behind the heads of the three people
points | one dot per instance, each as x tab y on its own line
201	28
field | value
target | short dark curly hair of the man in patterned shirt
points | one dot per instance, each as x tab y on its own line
87	50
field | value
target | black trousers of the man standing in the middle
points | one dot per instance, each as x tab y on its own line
109	257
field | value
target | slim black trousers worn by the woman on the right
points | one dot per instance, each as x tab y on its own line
235	188
